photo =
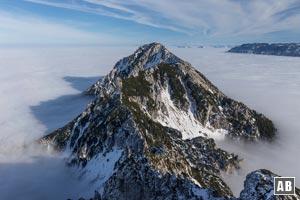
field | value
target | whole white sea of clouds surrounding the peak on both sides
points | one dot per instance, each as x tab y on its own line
41	90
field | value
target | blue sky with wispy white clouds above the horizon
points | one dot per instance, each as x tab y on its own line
134	22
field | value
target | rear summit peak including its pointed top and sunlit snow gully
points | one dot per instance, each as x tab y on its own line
181	97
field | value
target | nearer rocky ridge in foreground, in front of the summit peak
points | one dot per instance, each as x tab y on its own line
149	154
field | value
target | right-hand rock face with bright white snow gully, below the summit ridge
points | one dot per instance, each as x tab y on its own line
178	96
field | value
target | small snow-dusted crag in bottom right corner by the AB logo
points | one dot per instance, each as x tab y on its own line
260	185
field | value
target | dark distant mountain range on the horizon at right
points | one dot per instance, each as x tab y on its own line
281	49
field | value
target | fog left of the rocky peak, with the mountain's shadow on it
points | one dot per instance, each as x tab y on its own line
40	92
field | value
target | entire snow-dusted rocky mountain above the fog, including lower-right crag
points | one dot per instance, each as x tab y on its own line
149	132
